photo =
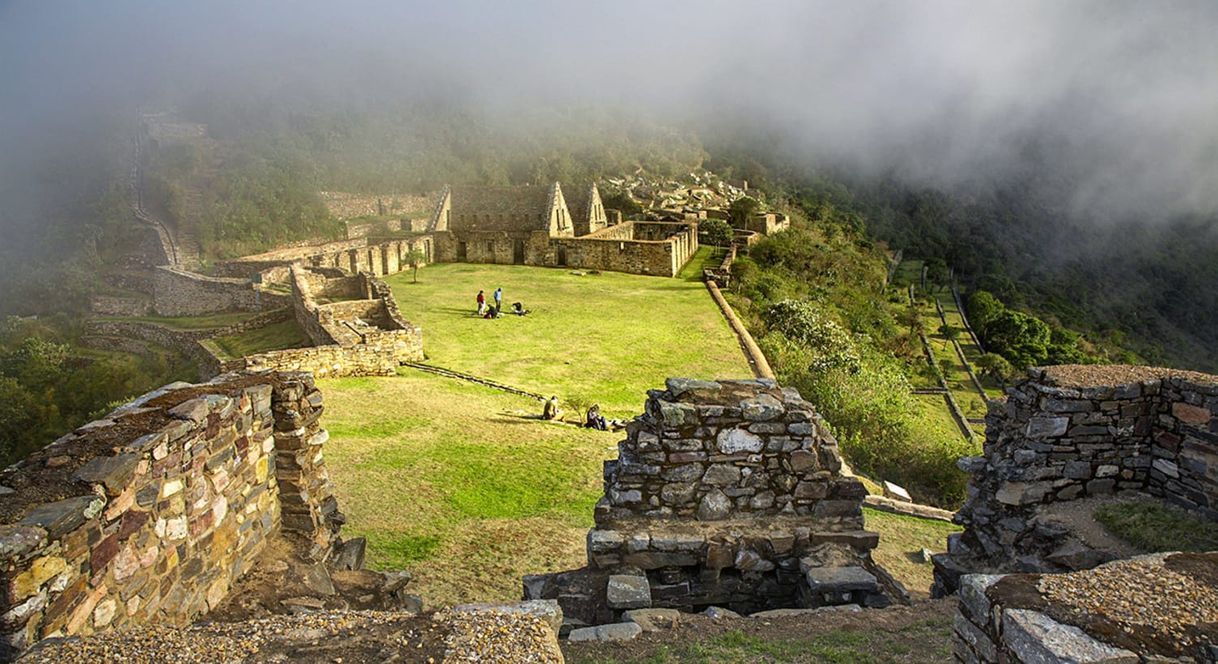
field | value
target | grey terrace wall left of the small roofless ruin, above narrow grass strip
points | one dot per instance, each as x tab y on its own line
180	293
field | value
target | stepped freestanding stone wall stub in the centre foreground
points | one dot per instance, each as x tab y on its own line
725	494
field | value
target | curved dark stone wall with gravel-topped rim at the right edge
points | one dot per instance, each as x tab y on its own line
1070	433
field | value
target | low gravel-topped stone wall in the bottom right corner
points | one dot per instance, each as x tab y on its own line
1152	609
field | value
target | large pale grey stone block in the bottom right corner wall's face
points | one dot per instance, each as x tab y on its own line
1037	639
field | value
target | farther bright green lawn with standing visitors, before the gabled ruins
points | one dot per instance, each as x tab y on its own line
591	339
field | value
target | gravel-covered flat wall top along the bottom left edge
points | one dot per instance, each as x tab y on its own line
334	638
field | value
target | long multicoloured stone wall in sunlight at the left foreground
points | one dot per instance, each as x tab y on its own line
150	515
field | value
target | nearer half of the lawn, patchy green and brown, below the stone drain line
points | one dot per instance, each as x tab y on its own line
460	484
